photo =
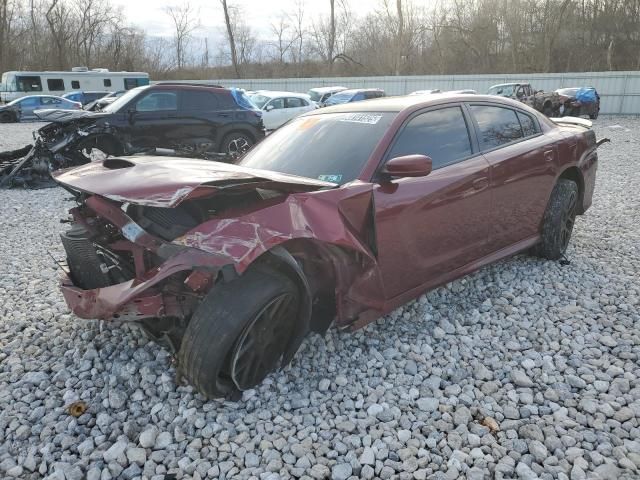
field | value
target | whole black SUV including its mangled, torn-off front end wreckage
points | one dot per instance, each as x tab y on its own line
193	120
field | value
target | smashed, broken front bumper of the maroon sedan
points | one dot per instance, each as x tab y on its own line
147	295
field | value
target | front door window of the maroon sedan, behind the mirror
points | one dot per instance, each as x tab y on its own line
441	134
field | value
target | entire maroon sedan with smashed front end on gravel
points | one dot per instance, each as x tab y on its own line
337	218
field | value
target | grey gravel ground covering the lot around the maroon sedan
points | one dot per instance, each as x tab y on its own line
524	369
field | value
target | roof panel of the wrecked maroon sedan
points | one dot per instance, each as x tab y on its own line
397	104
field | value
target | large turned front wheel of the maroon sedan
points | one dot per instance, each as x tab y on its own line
217	344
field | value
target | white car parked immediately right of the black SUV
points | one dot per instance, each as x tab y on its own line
280	107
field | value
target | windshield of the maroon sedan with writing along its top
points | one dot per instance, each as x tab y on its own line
332	147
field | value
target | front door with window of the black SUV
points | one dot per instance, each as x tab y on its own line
153	119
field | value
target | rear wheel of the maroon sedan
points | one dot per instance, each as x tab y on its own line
558	220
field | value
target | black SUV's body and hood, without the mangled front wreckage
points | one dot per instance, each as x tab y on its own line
183	117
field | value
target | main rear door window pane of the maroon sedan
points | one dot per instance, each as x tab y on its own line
498	126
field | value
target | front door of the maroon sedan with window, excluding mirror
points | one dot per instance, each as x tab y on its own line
427	227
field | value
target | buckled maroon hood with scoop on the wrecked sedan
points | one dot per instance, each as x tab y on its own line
168	181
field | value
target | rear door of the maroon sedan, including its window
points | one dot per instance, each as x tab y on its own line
523	165
